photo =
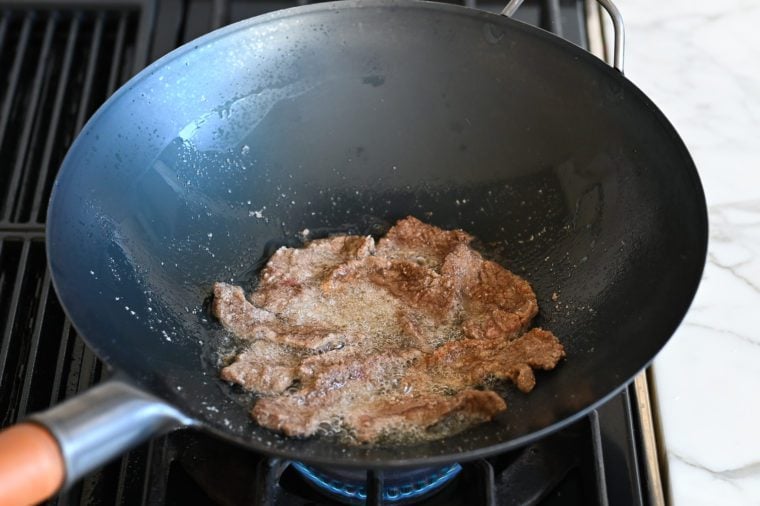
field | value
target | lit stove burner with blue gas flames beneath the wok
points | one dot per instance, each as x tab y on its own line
349	486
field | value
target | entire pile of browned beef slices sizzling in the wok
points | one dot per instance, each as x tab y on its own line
382	341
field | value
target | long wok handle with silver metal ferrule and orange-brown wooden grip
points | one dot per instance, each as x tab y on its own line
57	447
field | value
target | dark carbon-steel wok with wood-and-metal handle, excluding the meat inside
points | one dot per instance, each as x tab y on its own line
343	117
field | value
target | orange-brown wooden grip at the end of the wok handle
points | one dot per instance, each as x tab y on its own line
31	465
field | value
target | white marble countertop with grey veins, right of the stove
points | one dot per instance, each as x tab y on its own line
700	63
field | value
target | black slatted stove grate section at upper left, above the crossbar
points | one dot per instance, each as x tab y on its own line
60	65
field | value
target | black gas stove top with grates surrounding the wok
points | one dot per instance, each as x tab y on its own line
60	61
